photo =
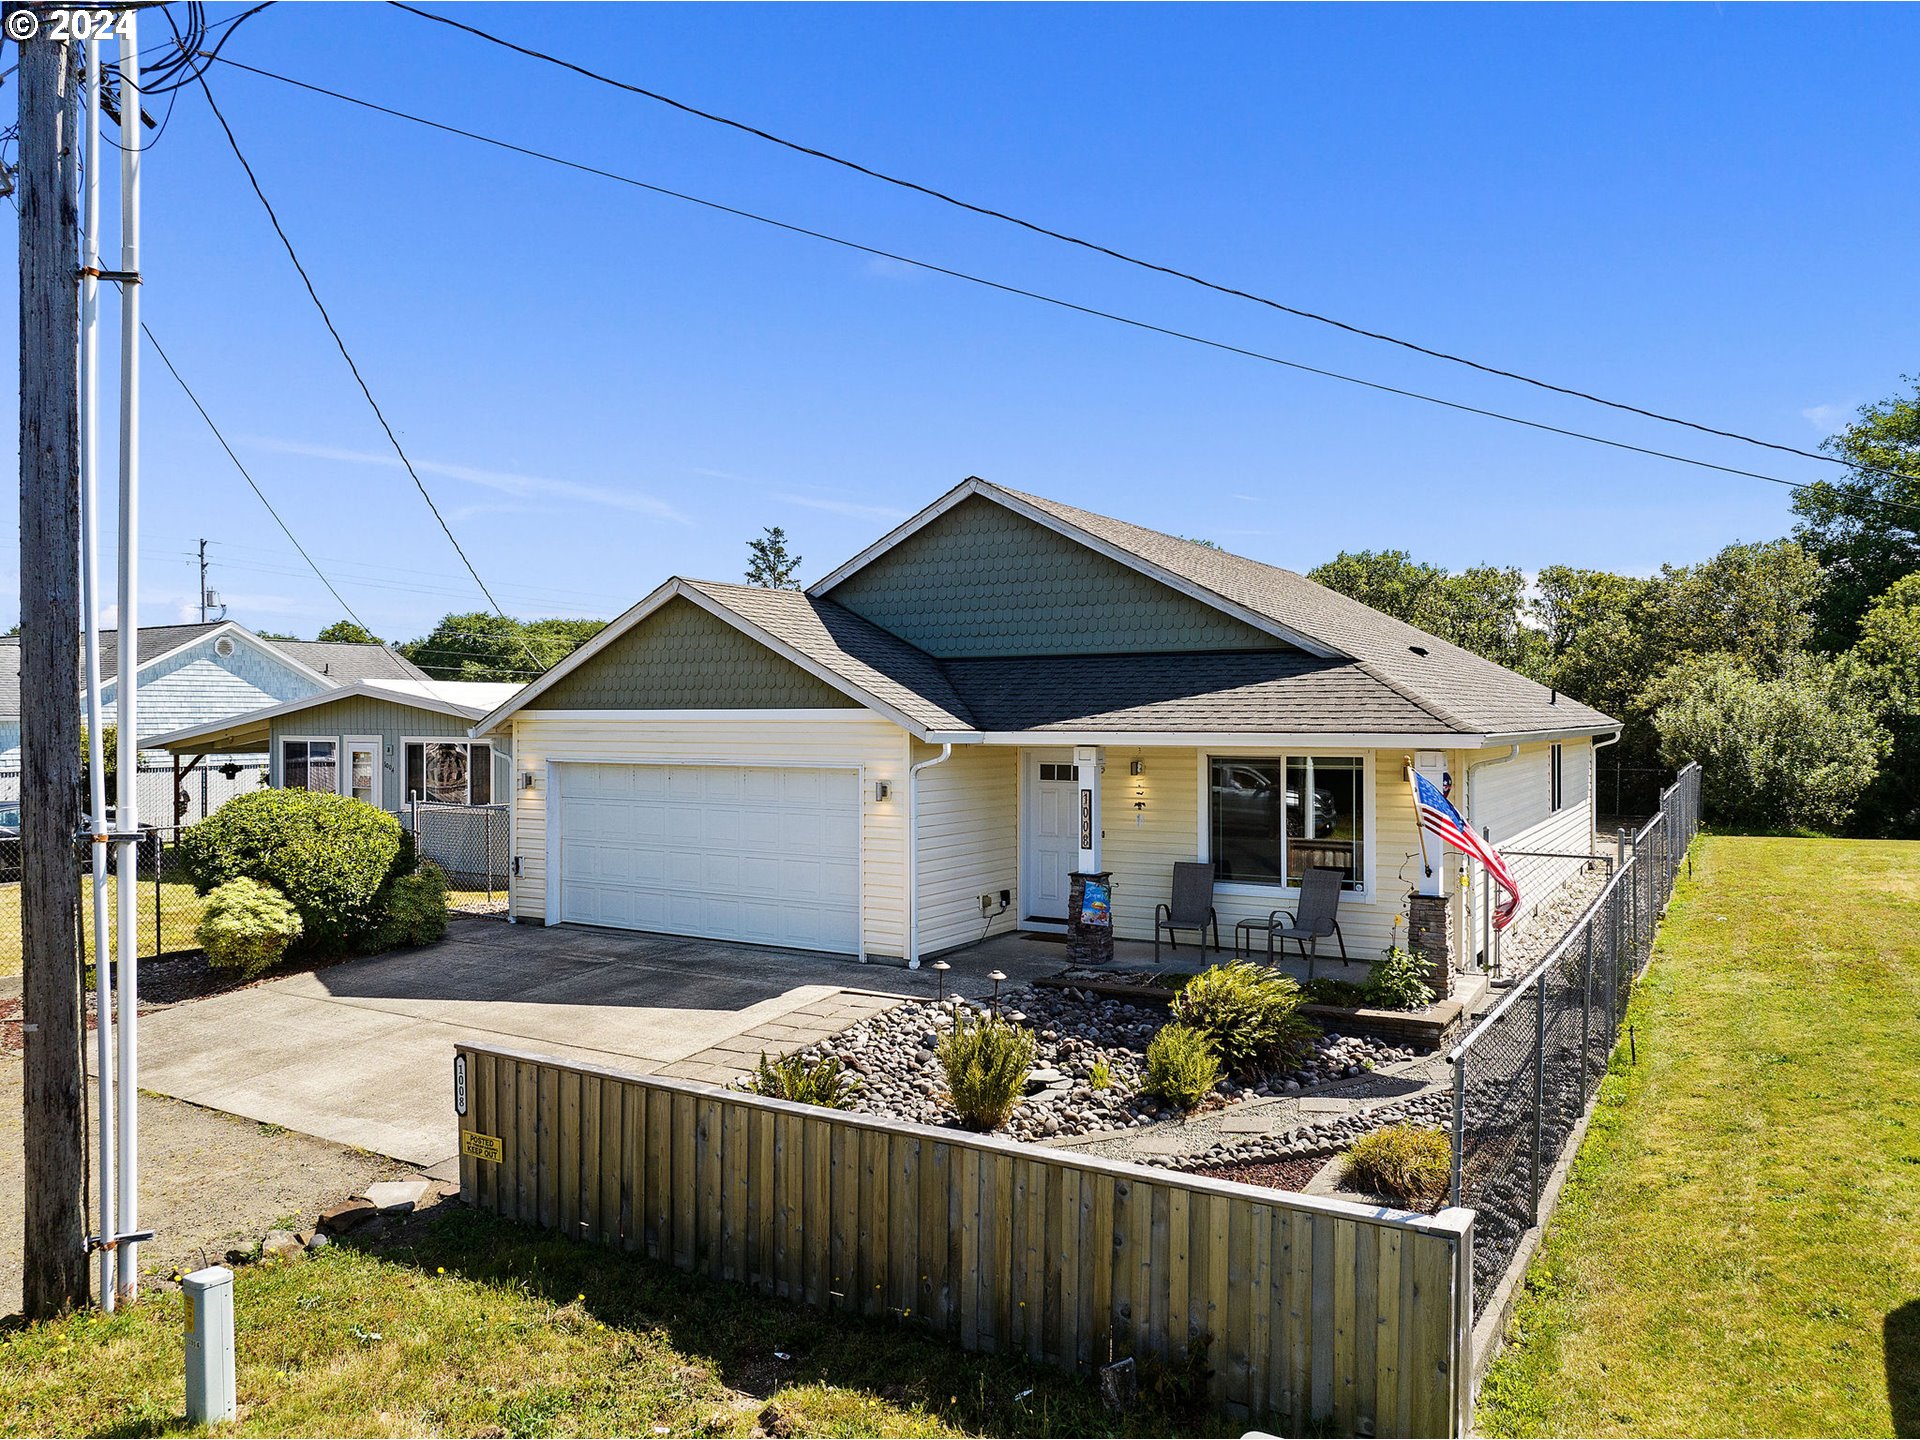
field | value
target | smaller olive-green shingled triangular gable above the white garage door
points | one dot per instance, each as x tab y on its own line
684	660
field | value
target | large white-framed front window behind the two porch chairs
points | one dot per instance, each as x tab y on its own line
1272	819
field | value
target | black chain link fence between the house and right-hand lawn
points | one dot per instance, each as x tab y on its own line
1527	1072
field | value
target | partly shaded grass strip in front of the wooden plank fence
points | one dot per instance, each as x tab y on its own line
475	1326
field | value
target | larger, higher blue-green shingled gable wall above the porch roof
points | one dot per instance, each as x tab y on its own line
984	581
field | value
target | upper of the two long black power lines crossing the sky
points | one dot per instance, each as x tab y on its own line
1099	249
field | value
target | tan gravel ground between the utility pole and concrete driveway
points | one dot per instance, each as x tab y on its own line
210	1184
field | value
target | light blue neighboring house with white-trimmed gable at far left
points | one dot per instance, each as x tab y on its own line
201	673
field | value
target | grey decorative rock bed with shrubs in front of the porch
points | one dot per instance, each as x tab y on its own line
894	1057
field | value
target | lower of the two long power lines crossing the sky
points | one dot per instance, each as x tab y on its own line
1045	299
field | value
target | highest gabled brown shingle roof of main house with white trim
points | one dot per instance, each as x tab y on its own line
1464	692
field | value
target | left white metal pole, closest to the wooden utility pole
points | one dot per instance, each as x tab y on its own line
97	769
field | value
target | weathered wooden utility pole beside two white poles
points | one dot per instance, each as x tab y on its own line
57	1272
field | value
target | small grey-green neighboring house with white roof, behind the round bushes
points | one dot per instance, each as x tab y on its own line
383	742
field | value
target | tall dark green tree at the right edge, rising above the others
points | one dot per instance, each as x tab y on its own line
1865	529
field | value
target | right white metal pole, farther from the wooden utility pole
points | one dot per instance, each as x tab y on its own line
128	867
